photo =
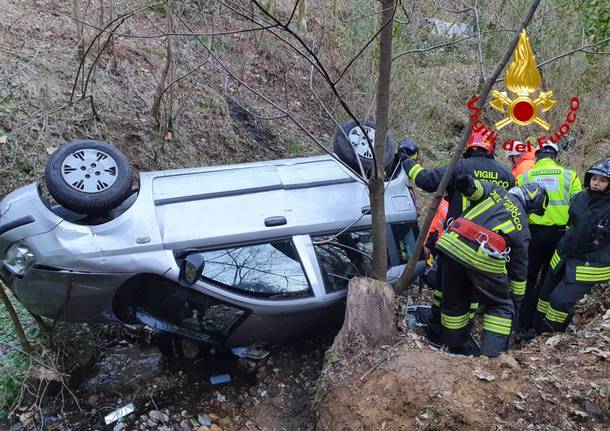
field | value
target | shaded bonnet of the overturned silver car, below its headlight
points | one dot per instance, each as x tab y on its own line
66	295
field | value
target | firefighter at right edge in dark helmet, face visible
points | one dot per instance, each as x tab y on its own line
582	258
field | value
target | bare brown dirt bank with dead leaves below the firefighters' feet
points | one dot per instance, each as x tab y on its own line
554	382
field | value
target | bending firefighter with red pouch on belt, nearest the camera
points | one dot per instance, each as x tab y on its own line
484	259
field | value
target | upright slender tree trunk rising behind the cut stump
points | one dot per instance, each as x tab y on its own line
380	254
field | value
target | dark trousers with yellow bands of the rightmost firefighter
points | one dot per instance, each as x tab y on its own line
557	301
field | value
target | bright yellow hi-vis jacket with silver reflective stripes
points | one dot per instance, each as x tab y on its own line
561	185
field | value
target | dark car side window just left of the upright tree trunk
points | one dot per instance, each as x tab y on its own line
344	256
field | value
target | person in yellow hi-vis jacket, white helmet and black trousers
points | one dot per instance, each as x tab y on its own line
561	185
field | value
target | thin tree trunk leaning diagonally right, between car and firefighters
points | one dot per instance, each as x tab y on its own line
457	153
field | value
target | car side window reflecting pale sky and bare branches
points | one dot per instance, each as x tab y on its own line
271	270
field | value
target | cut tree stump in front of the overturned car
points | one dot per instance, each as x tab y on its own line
369	316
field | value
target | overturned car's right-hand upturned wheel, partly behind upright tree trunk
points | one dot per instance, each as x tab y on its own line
350	144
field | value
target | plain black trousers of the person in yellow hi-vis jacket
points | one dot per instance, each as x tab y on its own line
542	246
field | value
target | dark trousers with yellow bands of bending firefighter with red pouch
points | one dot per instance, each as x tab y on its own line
462	287
